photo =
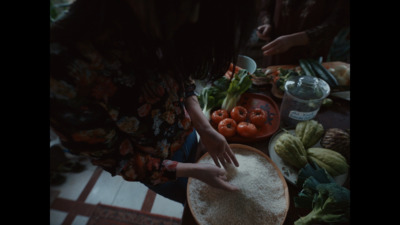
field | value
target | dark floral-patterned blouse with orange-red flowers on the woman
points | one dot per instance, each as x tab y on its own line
99	108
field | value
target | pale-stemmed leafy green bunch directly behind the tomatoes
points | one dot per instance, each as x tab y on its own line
239	84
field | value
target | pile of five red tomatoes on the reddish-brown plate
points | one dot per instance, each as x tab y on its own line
239	121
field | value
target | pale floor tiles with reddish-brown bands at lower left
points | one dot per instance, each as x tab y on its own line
73	201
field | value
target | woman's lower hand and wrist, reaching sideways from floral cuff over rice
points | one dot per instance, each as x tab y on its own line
207	173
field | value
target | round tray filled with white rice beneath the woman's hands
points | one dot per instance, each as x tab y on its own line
263	197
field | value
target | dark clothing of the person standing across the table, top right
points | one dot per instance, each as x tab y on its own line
321	19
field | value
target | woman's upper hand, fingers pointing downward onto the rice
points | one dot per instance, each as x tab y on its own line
218	148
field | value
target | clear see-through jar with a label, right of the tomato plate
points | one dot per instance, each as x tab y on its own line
302	99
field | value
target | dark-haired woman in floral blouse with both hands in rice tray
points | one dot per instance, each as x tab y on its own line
122	88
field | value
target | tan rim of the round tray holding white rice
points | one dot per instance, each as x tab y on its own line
234	147
